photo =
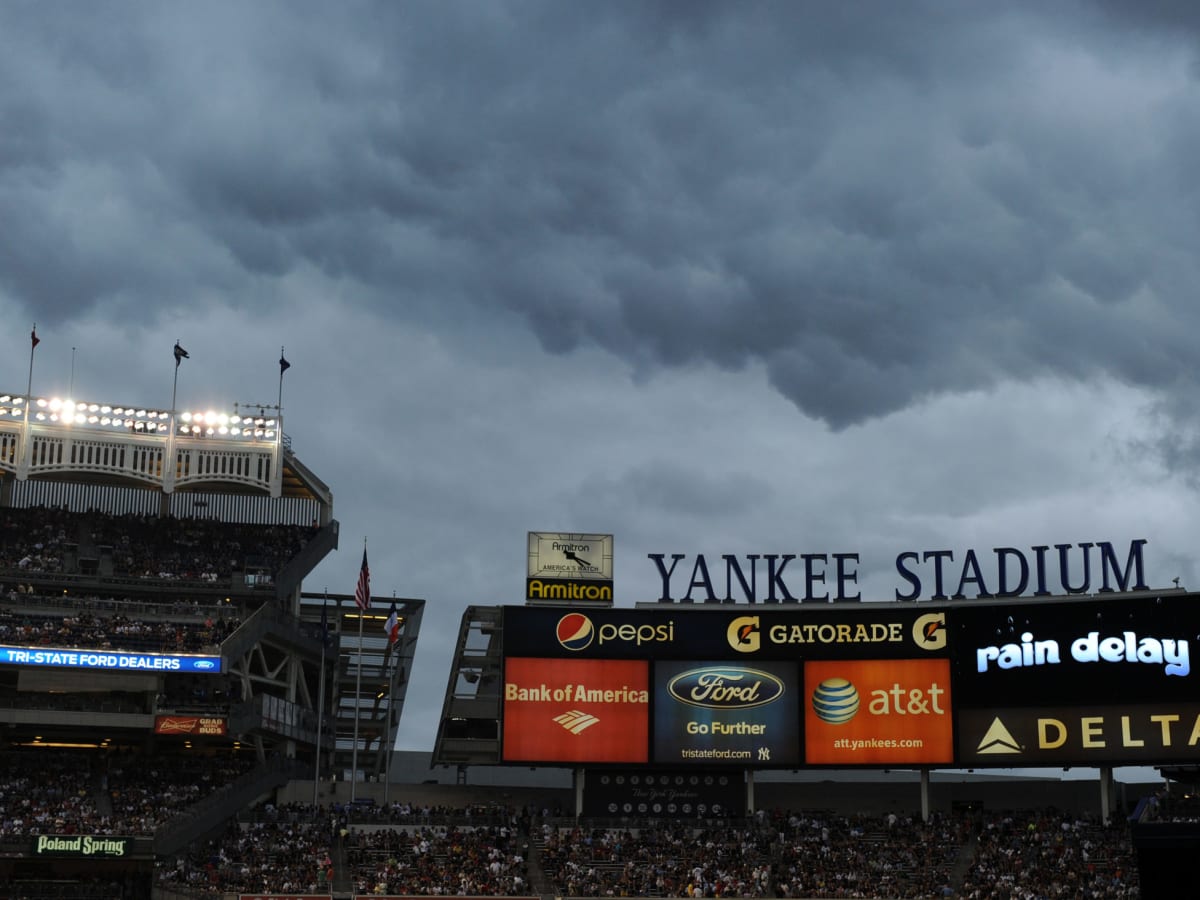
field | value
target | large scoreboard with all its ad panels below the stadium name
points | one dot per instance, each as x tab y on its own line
1073	682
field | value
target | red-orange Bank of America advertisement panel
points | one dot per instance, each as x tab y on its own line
577	711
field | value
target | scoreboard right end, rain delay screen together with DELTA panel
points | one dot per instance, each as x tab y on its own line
1089	682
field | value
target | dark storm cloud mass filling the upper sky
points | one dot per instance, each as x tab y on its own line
878	205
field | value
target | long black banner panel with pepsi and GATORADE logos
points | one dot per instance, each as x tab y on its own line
856	632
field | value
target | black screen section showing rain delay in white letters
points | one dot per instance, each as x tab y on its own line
1082	652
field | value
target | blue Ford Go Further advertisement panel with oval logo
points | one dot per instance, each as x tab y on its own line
727	713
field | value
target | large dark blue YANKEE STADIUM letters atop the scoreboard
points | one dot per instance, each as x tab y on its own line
1041	571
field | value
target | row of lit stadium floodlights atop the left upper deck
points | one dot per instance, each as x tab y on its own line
141	421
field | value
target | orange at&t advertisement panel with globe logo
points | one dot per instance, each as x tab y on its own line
878	712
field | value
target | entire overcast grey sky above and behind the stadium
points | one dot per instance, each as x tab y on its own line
712	278
